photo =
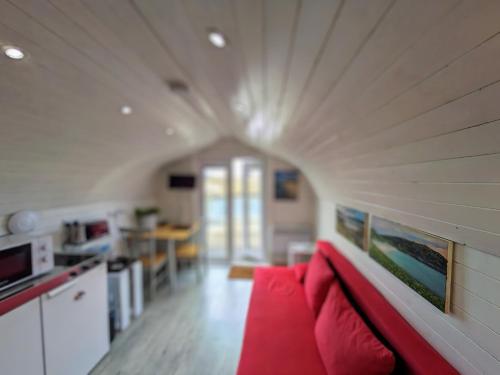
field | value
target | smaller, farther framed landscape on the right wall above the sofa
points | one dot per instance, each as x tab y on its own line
353	225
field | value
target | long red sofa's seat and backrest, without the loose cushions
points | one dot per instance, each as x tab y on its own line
279	335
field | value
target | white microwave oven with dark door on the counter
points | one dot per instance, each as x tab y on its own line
24	260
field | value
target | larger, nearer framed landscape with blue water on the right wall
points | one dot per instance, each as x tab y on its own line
421	260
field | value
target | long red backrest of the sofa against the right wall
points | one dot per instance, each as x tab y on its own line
417	355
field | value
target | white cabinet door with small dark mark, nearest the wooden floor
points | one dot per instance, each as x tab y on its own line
75	324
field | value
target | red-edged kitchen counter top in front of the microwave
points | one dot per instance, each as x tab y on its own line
67	266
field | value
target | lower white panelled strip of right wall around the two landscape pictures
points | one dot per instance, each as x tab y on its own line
468	337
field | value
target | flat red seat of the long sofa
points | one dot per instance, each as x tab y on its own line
279	333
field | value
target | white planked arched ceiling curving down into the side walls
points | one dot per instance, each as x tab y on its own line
390	106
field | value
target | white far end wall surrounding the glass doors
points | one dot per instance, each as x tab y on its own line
185	206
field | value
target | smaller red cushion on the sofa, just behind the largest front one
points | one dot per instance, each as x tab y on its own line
318	280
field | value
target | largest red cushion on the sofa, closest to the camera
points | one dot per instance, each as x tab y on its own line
346	344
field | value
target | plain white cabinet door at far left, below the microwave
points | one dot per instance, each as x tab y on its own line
21	340
